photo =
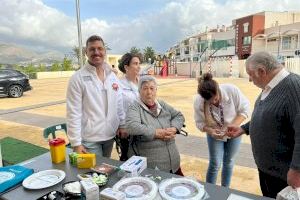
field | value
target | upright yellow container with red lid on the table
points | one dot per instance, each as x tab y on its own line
58	150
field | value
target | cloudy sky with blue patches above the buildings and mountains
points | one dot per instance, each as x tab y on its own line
44	25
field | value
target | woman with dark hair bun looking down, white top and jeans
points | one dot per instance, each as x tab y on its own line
215	107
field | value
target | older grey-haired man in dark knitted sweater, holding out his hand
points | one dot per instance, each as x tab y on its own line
274	128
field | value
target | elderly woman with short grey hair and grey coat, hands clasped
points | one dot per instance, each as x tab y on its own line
154	125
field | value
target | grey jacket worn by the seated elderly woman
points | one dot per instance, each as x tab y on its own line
141	123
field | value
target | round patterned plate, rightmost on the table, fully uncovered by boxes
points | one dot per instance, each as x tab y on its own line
181	188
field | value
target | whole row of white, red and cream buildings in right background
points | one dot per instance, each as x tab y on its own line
275	32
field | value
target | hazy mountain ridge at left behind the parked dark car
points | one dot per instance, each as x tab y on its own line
13	54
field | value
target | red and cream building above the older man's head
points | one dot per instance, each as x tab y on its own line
275	32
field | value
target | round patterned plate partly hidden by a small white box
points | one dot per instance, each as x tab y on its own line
137	188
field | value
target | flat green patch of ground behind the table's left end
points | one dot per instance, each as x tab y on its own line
15	151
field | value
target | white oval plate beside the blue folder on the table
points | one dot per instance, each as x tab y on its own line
44	179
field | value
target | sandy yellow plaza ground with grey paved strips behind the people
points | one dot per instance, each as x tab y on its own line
25	118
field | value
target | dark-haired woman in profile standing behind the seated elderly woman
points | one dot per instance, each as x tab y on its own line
130	66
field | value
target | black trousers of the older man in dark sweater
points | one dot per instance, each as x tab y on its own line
270	185
